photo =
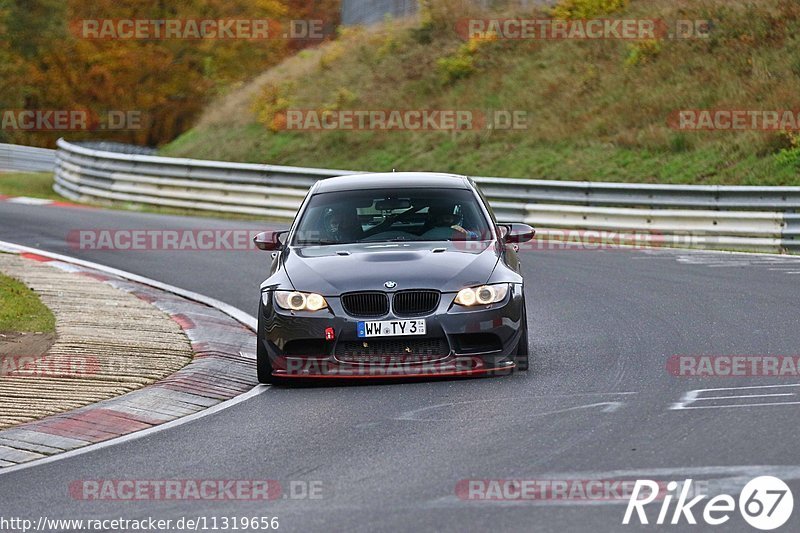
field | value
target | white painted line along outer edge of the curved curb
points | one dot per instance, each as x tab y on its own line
229	310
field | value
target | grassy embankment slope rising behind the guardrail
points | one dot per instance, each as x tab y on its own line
597	110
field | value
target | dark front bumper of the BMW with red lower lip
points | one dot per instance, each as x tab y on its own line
472	341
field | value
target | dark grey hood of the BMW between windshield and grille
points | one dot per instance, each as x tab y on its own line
336	269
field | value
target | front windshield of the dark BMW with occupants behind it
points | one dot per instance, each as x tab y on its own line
401	215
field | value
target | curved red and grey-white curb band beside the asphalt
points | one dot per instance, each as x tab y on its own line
223	368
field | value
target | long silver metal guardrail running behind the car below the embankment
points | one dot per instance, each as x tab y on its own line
725	217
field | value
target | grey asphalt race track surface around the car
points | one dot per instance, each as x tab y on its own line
597	403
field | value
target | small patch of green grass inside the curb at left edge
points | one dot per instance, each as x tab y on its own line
21	310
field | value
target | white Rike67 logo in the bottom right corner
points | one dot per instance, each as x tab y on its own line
765	503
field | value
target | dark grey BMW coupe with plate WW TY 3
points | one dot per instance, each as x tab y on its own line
393	275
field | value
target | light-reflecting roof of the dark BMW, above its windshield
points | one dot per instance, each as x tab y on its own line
393	180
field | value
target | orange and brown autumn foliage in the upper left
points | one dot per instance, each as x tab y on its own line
46	63
